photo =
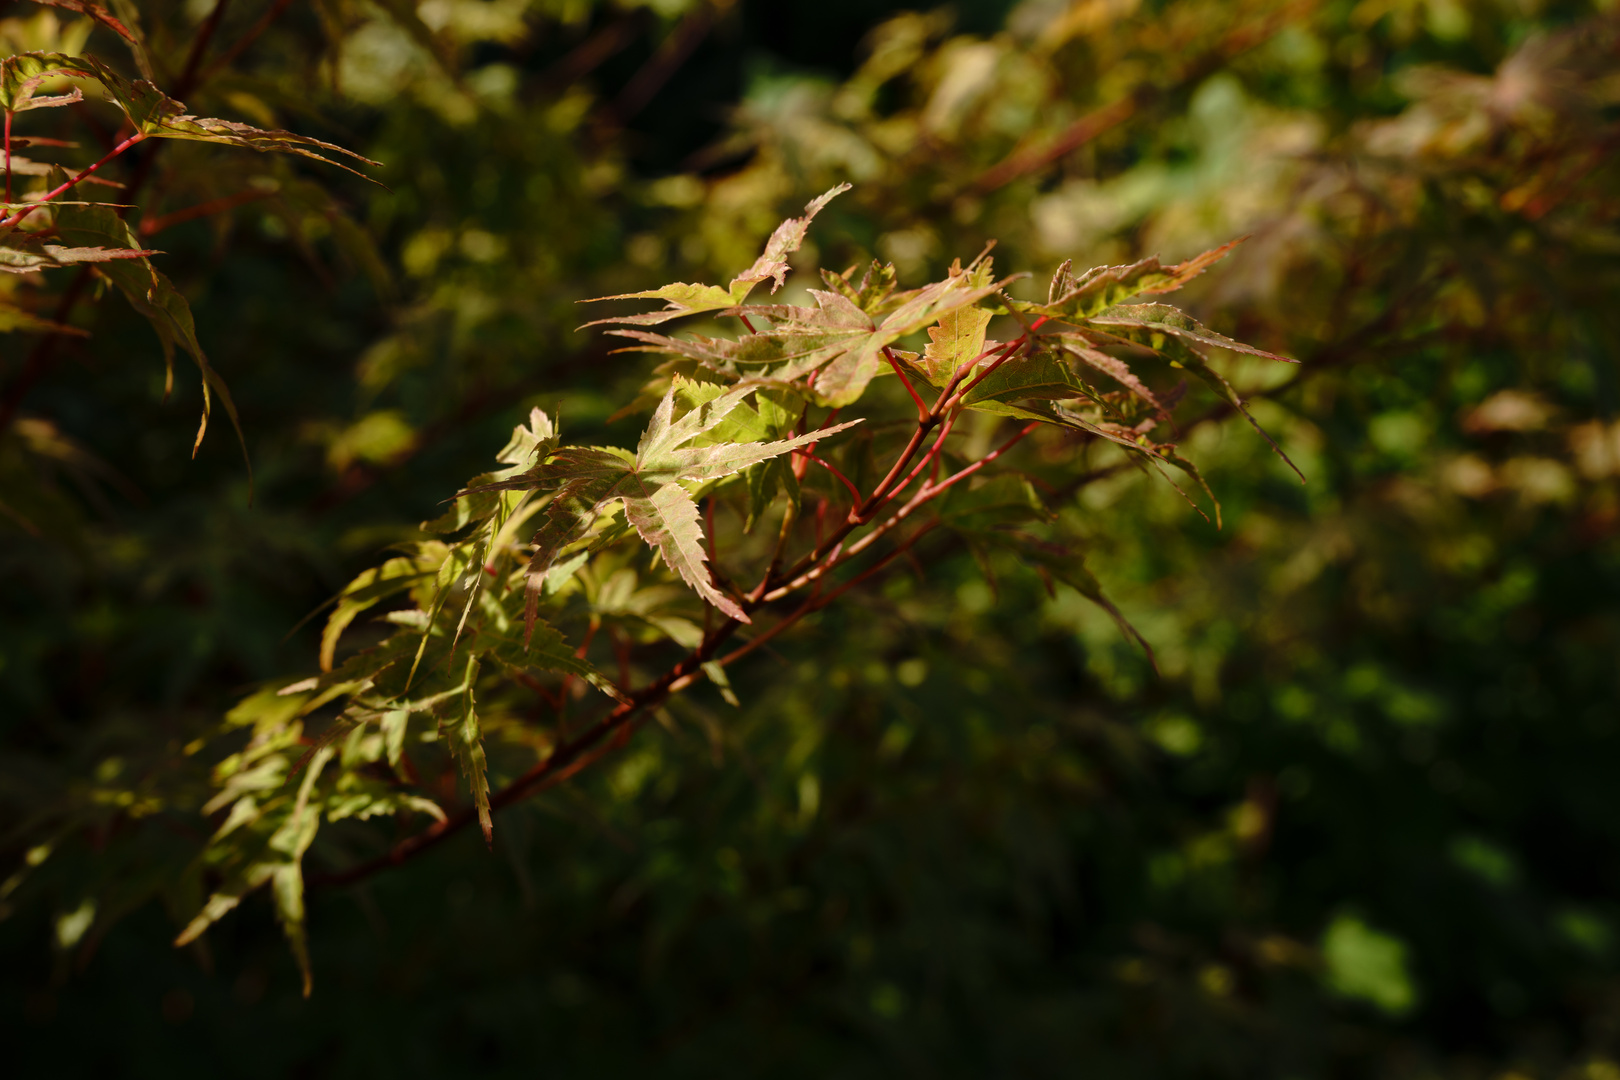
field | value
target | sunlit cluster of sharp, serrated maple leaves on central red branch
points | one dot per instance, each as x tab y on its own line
728	412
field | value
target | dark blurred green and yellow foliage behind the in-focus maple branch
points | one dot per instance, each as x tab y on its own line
1360	825
